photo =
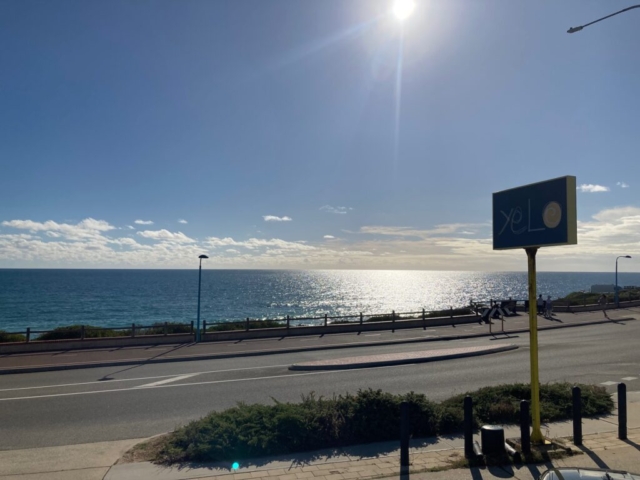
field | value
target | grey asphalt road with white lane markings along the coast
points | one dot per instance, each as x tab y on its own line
99	404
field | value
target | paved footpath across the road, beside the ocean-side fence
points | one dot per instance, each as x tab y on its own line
63	360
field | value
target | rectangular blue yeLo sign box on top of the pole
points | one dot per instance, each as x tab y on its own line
536	215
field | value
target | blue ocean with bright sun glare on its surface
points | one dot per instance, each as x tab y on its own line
45	299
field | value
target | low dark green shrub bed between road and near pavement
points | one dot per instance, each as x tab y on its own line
249	431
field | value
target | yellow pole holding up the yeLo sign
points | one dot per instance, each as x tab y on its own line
536	433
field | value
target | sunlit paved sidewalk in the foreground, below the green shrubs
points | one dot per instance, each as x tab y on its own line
96	461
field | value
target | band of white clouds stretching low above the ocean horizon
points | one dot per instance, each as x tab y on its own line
93	243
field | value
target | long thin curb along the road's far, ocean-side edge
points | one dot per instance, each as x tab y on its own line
213	356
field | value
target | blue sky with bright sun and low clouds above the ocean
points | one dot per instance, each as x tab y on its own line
311	134
